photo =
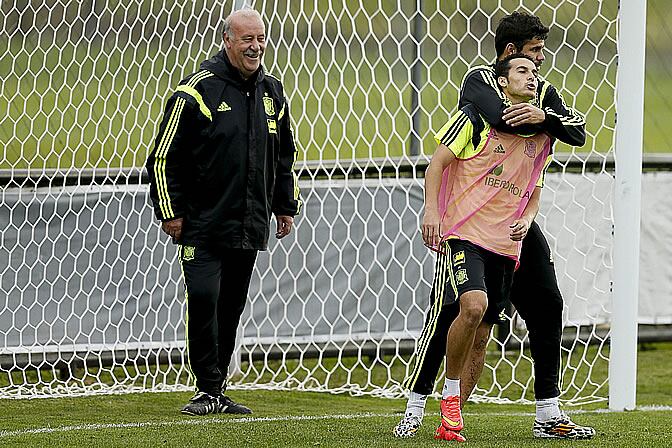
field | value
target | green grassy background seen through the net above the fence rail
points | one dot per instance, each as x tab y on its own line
97	102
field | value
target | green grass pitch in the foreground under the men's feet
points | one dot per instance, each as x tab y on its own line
305	419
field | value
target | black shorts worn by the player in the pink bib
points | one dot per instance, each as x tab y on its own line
469	267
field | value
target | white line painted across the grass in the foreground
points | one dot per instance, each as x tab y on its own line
210	420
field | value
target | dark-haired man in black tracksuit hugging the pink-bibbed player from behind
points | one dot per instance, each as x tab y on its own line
535	293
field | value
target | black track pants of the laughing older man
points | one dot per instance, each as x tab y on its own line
216	286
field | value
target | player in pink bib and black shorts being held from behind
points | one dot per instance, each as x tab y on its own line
481	195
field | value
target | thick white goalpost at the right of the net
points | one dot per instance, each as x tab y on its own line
627	203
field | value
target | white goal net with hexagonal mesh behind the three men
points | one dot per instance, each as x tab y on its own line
91	299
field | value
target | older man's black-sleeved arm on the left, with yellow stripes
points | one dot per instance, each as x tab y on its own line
165	163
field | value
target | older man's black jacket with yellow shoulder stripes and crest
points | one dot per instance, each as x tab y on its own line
223	158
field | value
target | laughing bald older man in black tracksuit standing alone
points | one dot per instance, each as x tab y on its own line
221	164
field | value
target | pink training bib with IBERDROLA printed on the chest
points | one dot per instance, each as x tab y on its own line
481	196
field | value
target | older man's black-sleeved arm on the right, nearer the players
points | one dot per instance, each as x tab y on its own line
286	196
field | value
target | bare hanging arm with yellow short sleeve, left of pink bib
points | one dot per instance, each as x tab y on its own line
452	138
